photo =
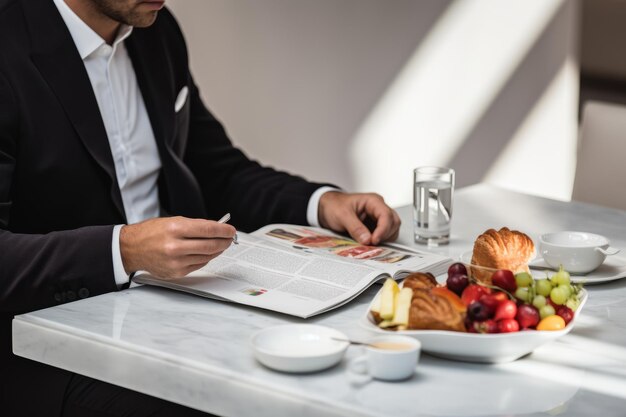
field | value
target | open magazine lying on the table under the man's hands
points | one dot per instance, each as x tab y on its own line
299	270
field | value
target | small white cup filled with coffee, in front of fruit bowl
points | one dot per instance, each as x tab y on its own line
390	358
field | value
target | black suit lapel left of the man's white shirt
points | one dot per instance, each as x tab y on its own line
58	61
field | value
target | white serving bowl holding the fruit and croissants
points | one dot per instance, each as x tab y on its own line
473	347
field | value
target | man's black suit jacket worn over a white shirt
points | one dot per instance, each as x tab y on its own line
59	198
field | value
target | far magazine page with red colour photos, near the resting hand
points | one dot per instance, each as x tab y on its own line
393	259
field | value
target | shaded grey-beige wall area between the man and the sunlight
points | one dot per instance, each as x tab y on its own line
292	80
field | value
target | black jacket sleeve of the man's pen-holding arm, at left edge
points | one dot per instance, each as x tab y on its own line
41	270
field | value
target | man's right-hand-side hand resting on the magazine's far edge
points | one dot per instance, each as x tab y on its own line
349	212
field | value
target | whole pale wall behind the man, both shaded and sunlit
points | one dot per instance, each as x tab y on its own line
358	92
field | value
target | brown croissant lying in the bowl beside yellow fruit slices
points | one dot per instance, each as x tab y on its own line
434	312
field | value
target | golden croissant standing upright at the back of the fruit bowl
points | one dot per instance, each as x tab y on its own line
502	249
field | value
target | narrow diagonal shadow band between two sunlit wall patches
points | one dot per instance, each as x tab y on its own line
515	101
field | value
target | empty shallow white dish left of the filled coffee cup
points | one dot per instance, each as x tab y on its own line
298	347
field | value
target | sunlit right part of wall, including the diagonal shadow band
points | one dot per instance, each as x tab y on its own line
501	76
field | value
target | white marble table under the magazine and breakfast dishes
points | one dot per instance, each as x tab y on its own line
195	351
